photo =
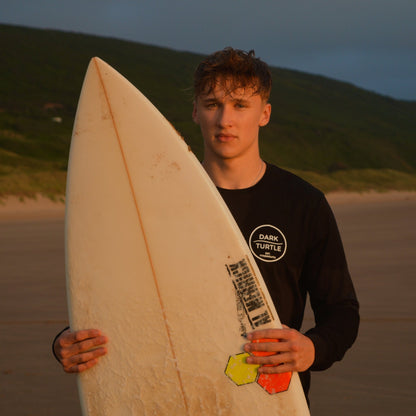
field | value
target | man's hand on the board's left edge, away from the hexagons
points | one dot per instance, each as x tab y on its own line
77	351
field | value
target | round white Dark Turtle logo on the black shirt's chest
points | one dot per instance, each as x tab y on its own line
268	243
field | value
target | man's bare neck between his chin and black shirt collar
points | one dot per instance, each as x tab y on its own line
235	174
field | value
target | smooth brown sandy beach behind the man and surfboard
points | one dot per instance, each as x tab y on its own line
375	378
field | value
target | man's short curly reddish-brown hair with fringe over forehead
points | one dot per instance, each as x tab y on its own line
233	68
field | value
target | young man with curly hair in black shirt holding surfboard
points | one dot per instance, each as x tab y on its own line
232	89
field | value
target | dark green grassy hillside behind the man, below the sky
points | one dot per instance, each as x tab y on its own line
332	133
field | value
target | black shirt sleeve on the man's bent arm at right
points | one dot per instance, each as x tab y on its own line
332	295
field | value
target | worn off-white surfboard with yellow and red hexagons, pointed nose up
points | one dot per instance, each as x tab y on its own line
156	261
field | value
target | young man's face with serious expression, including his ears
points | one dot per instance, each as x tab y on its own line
230	121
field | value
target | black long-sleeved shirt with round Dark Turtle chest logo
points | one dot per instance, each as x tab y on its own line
294	238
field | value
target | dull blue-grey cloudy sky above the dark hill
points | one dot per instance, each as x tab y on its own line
369	43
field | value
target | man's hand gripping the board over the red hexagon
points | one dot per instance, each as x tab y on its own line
293	351
